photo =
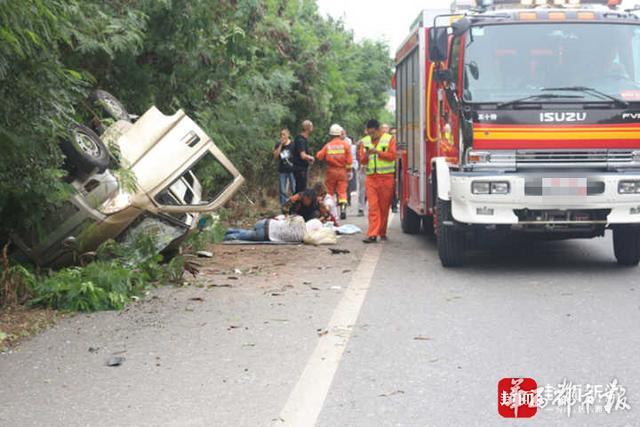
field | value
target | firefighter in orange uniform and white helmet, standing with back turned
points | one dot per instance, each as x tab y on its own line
337	154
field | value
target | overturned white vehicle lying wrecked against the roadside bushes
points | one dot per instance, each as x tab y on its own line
173	172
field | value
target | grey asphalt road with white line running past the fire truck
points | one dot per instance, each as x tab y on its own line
427	346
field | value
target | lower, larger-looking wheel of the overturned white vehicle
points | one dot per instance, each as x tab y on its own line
84	150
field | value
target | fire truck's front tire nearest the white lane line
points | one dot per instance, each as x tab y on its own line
451	241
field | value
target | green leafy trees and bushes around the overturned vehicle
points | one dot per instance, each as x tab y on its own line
242	68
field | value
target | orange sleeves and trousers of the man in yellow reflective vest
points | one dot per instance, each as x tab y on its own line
379	190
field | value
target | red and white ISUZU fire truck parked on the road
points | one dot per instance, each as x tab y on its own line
521	117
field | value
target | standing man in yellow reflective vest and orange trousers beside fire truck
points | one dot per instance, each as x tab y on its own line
378	155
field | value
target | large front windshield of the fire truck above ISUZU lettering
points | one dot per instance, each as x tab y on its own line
507	62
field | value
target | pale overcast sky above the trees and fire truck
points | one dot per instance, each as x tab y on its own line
384	19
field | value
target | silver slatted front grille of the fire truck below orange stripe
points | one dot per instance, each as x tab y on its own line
574	158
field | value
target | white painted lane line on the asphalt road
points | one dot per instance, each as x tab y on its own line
307	398
